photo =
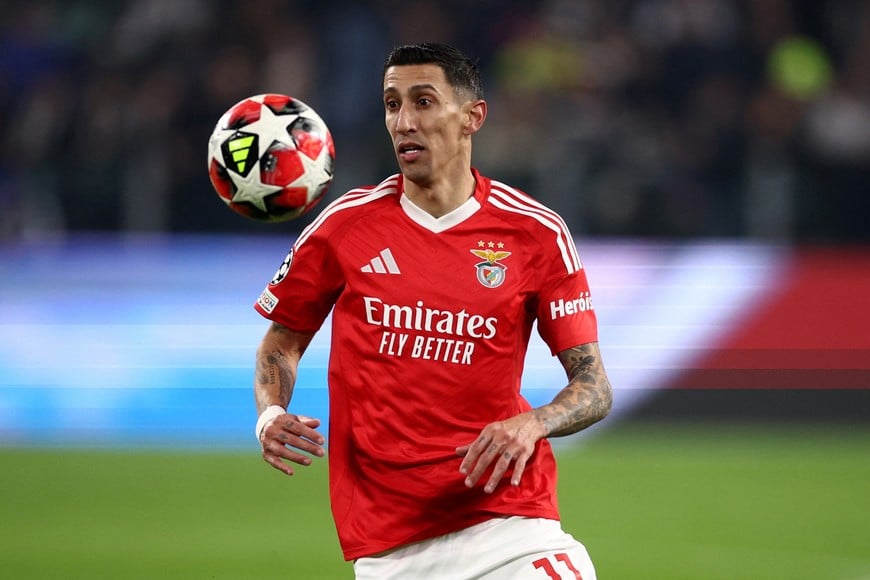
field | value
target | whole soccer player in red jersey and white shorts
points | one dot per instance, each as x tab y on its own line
438	467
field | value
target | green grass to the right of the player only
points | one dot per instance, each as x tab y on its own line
727	502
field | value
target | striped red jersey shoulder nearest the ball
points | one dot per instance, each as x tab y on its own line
350	207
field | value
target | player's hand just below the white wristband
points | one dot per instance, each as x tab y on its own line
285	436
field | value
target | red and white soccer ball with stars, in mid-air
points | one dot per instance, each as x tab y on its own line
271	158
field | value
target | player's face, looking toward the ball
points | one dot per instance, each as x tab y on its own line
426	119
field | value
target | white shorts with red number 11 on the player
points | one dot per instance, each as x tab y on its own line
501	548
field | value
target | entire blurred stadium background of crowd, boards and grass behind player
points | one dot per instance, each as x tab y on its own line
712	158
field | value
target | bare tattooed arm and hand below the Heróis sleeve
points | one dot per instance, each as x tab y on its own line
585	400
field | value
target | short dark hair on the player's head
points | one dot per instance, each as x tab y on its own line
462	73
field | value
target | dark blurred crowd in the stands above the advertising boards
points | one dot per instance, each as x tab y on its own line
645	118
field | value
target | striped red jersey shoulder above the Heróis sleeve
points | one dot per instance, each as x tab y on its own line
541	223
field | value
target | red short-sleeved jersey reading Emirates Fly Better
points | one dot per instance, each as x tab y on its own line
431	321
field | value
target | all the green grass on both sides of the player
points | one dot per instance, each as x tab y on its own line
687	502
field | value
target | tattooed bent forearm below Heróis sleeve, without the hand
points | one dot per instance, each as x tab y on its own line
586	399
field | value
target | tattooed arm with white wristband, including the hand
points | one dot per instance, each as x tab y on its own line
283	436
